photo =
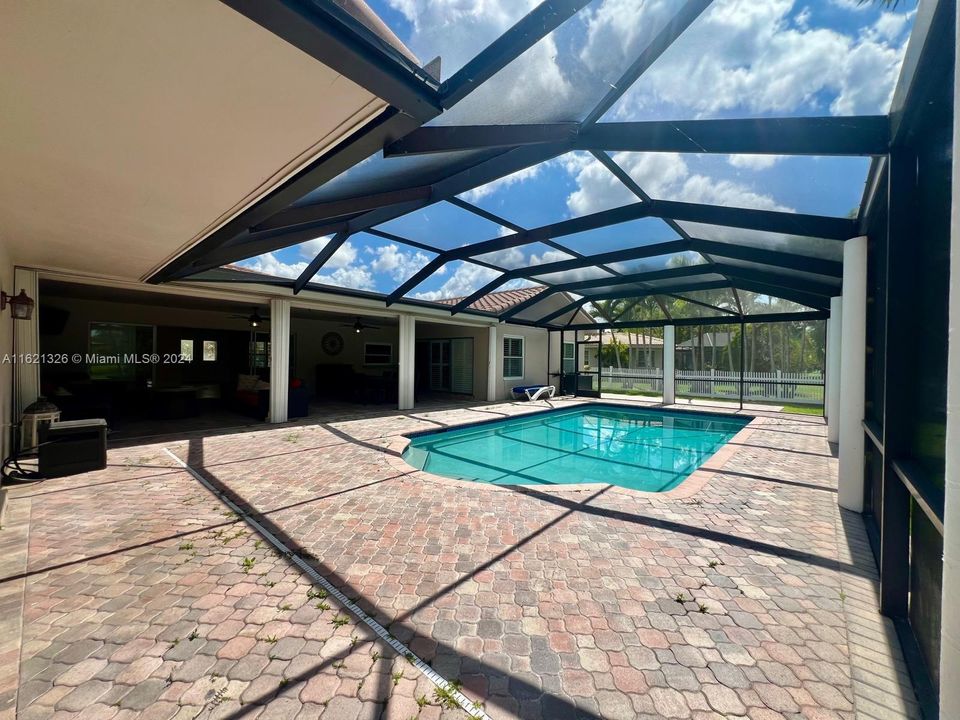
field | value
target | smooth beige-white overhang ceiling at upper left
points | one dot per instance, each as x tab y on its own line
130	130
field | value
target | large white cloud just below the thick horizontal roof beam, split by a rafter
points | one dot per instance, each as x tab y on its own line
661	175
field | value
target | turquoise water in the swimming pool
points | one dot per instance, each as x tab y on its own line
652	450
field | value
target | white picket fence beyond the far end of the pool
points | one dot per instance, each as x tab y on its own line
793	388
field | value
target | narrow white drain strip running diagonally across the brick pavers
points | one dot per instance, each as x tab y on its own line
468	706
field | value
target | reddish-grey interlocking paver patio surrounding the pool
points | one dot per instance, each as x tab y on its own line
142	595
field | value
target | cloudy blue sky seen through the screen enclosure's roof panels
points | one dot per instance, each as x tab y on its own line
741	58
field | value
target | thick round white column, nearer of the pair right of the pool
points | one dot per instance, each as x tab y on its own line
853	353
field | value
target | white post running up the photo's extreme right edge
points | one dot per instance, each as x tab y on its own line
949	617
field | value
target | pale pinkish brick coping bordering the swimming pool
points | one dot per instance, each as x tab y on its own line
688	487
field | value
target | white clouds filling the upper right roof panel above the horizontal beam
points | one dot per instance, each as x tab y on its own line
753	57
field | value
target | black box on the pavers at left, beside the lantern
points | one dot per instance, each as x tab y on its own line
72	447
